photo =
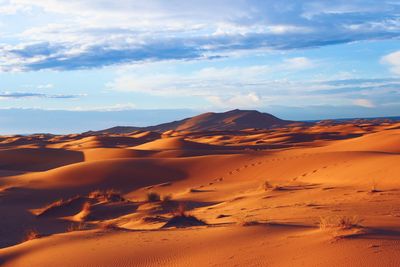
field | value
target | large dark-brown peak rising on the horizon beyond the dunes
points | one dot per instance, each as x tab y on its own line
230	120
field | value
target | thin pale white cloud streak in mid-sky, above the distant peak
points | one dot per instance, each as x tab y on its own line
211	81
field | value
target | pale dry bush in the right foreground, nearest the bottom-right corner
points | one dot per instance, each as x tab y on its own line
340	222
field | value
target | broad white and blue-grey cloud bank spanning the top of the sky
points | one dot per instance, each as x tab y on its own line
94	34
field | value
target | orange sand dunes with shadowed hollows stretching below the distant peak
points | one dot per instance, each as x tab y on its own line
321	194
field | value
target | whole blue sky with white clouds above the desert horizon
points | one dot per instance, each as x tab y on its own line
80	61
